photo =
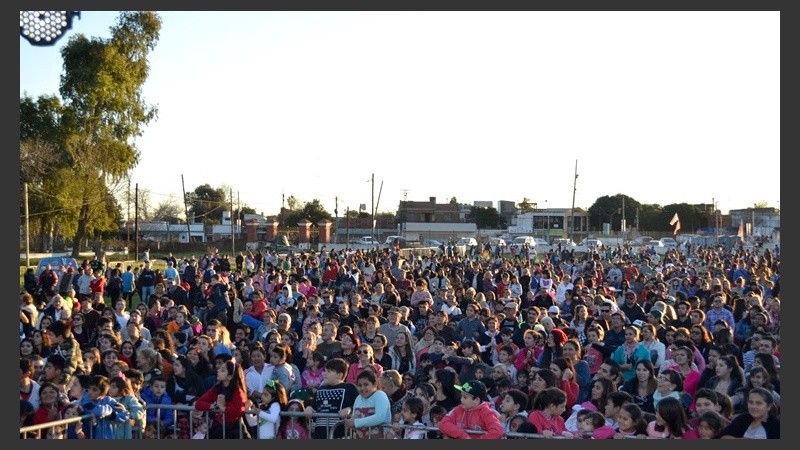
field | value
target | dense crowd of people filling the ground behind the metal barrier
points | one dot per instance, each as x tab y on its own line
611	344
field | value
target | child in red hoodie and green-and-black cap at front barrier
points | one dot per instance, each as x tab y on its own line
472	414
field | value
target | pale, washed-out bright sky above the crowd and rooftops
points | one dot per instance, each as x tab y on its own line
664	107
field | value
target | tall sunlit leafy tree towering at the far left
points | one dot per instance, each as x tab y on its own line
103	112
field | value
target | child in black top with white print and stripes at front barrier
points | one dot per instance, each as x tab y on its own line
333	396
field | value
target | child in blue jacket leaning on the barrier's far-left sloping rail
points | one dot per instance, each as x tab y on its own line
107	412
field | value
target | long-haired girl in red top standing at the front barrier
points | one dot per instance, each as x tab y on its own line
226	401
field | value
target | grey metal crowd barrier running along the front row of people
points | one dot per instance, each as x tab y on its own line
58	429
